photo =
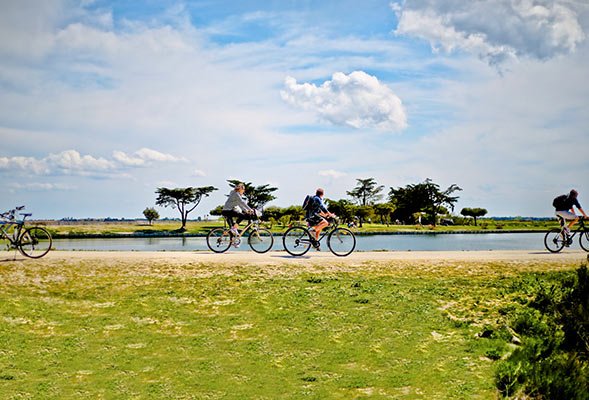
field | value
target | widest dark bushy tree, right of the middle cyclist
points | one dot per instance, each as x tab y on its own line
422	197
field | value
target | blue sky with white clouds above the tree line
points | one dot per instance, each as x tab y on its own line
102	102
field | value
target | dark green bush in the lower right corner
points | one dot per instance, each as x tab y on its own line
553	359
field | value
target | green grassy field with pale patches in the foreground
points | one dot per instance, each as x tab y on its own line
157	330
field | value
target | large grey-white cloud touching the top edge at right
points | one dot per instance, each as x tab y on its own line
495	30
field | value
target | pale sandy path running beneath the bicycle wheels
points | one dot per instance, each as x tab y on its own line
311	258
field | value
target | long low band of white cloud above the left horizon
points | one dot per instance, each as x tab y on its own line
71	162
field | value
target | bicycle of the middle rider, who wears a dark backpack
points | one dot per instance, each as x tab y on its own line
297	240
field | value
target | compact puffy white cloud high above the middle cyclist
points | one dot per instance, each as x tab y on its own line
357	100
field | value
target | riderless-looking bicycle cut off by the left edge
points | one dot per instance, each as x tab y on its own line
32	242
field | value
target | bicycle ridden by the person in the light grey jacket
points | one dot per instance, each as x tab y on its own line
260	239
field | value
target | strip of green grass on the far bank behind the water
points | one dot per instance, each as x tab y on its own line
194	227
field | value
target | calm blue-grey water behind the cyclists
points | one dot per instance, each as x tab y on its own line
415	242
